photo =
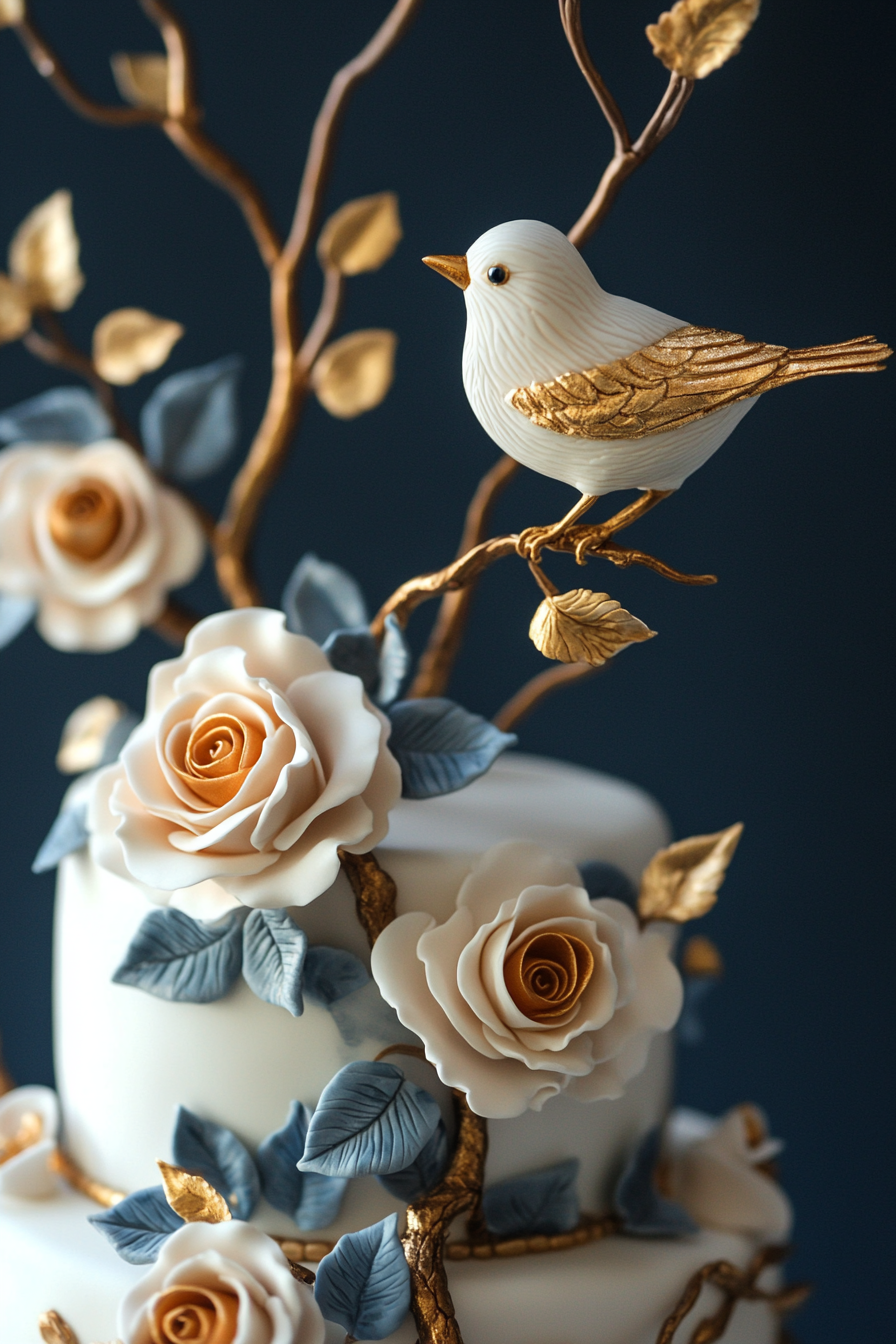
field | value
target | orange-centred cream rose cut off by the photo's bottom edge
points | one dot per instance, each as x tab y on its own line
221	1284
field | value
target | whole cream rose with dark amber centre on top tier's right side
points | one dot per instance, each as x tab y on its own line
530	989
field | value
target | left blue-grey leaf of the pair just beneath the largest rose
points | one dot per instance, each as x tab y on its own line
175	958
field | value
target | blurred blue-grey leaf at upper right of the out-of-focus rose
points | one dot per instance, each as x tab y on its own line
190	424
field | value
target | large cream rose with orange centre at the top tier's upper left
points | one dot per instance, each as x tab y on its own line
255	764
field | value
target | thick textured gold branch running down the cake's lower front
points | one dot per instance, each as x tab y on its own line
428	1225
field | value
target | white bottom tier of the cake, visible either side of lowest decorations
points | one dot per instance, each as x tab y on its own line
613	1292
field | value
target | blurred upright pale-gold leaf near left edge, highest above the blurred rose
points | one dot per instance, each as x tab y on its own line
44	255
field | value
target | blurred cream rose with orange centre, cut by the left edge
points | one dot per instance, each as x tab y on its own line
95	540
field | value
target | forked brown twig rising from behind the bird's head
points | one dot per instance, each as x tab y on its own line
628	155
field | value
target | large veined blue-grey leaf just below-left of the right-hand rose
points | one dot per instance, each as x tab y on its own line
370	1122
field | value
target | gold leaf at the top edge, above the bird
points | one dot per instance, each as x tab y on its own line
697	37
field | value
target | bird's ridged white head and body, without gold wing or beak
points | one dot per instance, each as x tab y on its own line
553	318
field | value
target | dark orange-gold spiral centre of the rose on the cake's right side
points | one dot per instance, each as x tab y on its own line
549	975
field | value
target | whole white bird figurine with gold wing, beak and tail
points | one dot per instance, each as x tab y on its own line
601	392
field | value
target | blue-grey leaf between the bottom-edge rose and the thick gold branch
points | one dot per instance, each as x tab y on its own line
365	1284
